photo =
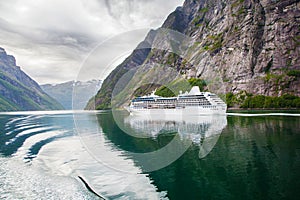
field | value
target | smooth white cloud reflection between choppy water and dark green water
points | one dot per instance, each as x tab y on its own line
69	158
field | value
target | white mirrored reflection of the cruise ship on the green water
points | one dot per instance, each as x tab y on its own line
203	131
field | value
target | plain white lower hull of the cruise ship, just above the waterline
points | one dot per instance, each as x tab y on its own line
188	111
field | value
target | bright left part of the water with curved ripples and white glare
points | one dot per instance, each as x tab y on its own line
42	158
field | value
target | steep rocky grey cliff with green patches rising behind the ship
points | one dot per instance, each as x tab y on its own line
251	46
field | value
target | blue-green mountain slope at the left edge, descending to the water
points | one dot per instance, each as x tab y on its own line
18	92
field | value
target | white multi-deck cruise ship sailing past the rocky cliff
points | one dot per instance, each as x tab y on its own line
194	102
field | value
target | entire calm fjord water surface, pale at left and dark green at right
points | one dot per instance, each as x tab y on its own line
229	157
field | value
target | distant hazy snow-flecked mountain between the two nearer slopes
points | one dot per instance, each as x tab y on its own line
63	92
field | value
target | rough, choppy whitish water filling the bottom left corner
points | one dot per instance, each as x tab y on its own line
22	181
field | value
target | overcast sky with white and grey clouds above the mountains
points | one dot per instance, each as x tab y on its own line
52	38
